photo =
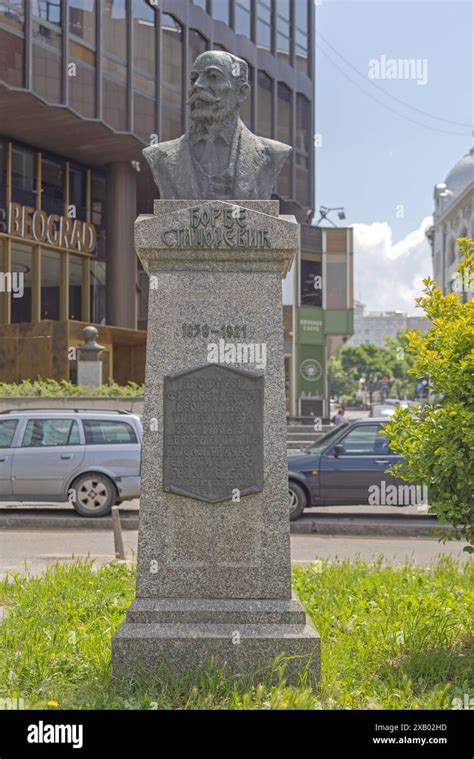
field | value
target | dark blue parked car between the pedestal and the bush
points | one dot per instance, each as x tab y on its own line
341	466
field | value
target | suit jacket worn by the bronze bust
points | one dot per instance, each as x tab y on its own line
257	165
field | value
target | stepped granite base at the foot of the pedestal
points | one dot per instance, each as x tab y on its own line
244	636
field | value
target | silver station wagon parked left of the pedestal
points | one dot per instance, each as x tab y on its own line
89	458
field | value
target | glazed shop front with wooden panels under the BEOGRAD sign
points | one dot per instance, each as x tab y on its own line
53	268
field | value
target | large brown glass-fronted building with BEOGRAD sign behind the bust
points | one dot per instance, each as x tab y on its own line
84	86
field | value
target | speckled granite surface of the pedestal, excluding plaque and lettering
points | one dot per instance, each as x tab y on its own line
209	570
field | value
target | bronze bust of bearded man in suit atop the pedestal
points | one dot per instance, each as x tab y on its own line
218	157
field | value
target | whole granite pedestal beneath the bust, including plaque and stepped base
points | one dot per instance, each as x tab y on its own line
214	549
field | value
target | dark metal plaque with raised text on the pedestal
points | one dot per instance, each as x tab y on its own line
213	433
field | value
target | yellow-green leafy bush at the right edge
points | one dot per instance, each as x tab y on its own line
437	440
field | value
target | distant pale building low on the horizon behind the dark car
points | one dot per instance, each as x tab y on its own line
376	327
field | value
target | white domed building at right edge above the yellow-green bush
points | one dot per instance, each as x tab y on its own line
453	218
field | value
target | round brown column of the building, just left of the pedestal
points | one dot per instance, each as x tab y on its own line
121	259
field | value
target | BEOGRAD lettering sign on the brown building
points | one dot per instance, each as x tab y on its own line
30	224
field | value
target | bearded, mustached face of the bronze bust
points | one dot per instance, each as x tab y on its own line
218	87
